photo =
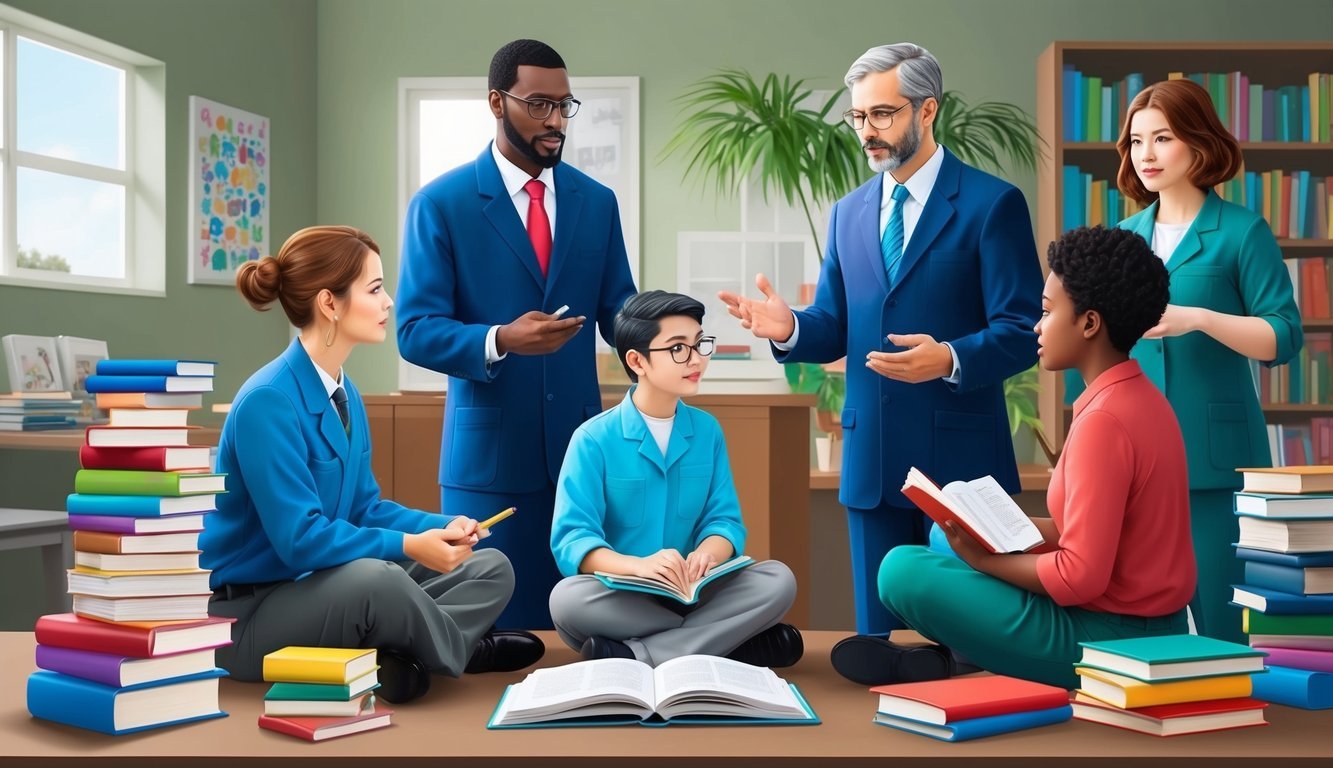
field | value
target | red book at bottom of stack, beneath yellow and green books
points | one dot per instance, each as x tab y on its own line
1174	719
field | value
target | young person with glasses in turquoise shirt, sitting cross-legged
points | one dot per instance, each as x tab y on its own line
647	491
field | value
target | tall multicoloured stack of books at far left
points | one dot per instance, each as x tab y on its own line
138	651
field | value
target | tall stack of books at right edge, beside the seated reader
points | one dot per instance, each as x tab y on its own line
1287	543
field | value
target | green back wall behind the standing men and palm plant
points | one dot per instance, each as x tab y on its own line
988	50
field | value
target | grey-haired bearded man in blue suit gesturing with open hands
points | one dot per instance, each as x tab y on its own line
932	283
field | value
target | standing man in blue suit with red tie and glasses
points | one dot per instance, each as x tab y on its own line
491	250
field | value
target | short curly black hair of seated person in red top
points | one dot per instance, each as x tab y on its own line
1115	273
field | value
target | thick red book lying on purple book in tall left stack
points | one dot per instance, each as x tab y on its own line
142	639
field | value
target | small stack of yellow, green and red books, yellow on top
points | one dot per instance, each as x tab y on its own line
322	694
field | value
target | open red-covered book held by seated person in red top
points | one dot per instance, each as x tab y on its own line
980	507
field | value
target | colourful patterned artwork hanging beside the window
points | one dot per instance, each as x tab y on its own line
229	190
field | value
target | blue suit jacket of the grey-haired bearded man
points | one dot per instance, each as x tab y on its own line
970	277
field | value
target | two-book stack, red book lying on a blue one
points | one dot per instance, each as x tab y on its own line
963	709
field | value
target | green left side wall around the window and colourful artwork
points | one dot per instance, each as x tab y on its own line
267	66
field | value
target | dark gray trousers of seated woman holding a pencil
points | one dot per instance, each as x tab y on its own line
435	618
